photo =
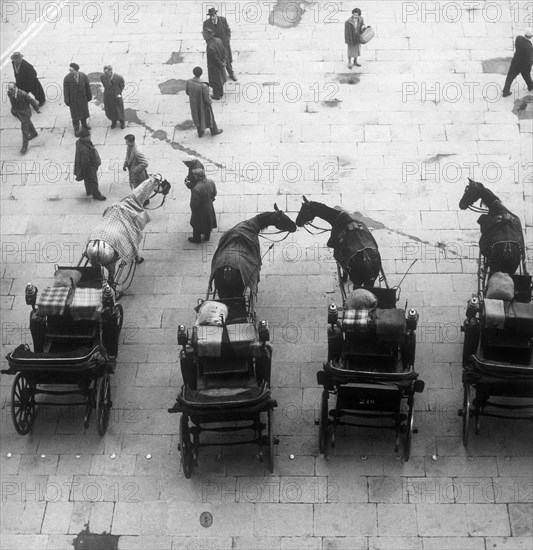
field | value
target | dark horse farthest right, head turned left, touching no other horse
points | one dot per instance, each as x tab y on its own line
502	239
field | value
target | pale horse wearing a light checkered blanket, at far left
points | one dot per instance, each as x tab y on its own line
120	230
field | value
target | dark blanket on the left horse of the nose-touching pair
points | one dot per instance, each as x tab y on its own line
239	248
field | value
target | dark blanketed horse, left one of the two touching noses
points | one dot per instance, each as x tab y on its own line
237	259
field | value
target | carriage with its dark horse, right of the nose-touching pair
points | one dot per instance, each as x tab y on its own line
371	343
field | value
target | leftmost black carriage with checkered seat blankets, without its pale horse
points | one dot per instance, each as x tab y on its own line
75	327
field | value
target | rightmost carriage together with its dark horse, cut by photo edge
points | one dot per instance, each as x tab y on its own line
498	328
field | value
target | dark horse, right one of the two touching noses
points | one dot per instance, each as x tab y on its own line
354	246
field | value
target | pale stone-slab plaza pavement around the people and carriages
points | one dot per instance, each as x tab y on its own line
393	140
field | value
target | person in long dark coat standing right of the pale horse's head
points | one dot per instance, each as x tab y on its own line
203	217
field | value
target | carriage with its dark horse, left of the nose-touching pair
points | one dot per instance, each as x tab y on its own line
226	357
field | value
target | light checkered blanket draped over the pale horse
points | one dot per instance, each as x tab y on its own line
123	222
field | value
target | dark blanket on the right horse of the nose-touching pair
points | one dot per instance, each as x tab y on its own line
349	236
